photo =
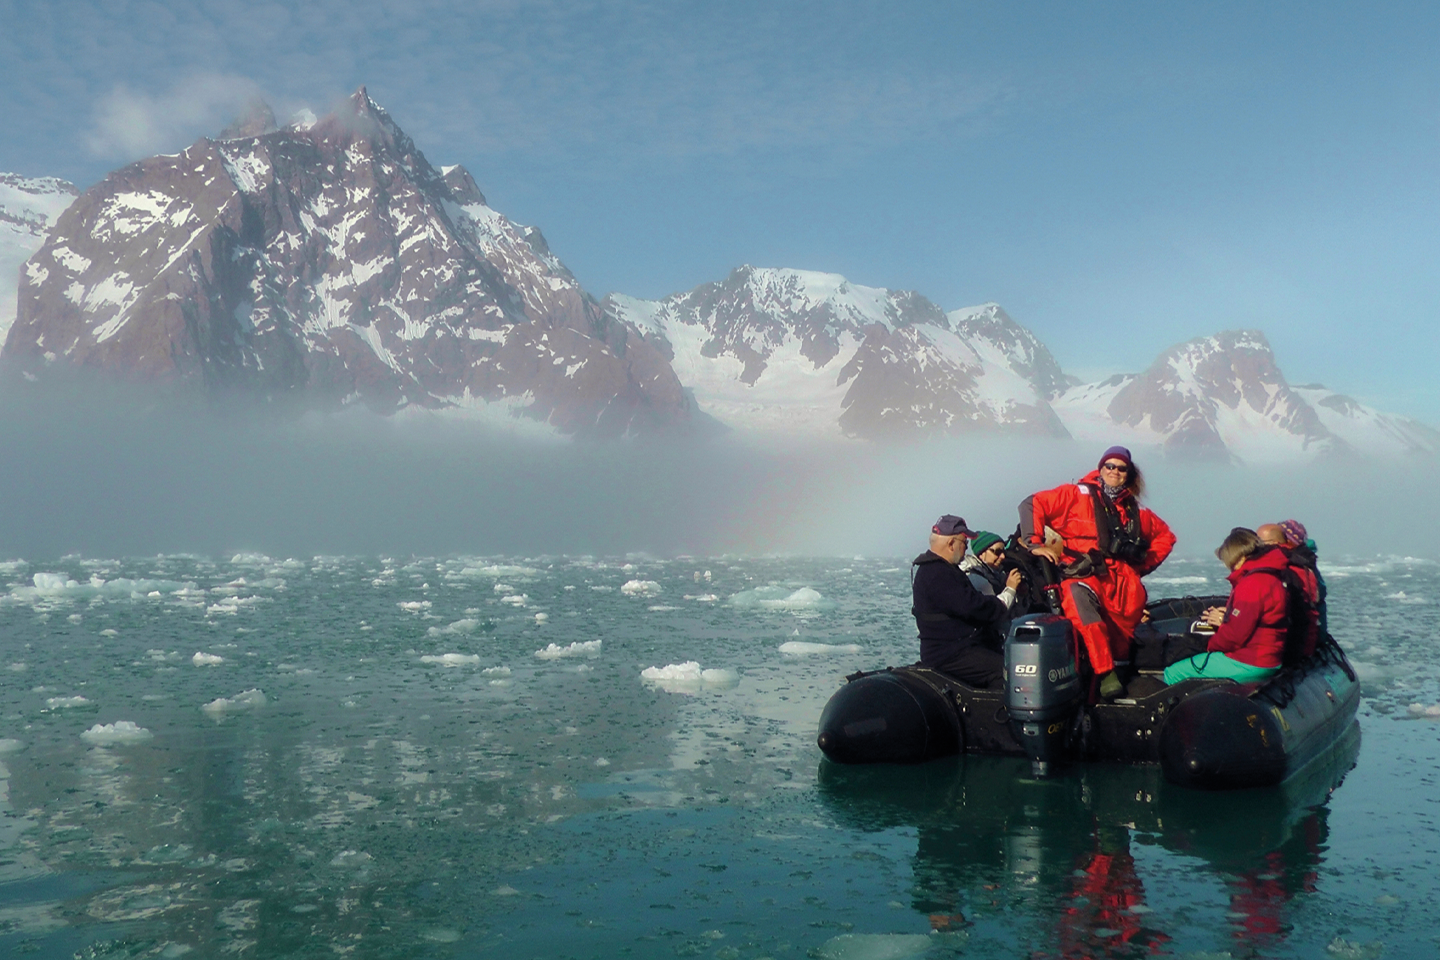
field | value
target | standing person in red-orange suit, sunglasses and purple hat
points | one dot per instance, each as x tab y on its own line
1108	542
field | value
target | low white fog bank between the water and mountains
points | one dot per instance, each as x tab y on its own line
110	474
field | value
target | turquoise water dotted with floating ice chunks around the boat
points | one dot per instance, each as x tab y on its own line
400	758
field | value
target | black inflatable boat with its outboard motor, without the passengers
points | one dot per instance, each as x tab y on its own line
1203	733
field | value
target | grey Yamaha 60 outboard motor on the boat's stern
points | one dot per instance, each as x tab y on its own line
1042	687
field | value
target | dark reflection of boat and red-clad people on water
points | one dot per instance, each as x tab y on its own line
1063	850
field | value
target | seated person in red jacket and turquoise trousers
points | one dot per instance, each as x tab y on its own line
1249	641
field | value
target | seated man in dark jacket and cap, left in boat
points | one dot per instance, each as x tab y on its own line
951	614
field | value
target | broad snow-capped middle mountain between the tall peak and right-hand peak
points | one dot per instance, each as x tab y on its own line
797	352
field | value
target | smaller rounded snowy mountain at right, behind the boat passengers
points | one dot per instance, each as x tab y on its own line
1213	398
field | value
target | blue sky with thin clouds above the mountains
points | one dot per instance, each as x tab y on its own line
1120	176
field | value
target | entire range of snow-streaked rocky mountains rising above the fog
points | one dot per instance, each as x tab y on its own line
328	264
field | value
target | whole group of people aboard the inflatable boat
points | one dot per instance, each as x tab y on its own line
1094	542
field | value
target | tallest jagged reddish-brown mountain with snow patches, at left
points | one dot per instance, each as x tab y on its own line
330	263
